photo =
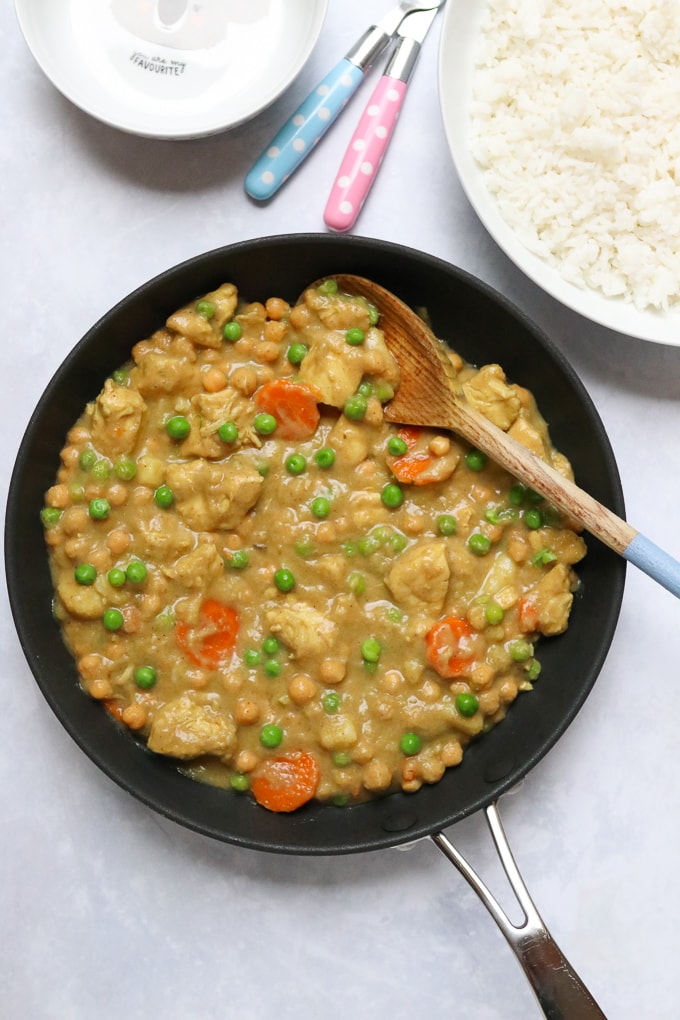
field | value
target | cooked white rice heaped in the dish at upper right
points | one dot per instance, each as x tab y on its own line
577	123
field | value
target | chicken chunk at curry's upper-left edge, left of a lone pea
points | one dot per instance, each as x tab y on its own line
165	365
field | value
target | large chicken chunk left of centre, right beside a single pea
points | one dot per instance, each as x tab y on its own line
215	497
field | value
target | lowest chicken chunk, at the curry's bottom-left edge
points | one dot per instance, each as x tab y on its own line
188	728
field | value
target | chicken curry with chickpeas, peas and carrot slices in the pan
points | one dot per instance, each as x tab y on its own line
278	589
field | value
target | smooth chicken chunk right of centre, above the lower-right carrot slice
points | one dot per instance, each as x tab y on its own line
420	578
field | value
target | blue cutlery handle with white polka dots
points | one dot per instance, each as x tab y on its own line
307	126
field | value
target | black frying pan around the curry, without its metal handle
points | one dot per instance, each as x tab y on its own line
484	328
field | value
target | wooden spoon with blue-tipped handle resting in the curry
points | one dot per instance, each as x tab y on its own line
427	397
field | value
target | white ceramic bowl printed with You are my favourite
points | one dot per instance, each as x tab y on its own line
172	69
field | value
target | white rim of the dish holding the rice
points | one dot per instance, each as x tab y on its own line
460	34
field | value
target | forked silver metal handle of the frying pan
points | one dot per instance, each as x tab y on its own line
559	990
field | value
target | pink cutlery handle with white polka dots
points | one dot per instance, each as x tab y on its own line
364	156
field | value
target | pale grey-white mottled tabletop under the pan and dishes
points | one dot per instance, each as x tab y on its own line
111	912
